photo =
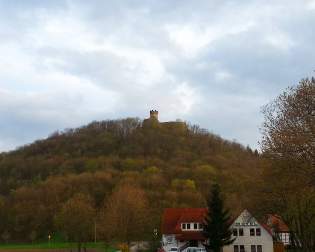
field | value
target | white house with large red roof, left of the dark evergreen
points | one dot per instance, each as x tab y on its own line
182	228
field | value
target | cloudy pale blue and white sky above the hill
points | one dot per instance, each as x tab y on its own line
214	63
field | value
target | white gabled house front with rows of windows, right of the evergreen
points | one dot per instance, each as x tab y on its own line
249	235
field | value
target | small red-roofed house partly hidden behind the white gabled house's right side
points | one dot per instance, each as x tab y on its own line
279	229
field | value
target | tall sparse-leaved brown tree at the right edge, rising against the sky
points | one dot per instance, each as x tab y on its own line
289	143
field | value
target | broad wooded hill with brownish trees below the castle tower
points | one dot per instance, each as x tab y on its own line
174	163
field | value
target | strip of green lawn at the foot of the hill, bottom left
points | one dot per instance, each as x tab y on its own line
56	245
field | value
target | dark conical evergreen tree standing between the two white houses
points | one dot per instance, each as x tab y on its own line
217	222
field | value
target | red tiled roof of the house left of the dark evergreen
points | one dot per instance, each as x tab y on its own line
173	217
